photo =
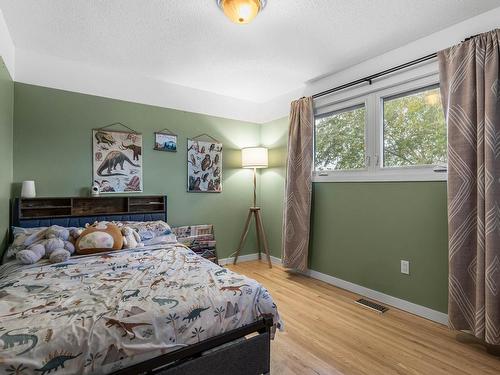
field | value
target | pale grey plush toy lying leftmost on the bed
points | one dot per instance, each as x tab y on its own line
53	243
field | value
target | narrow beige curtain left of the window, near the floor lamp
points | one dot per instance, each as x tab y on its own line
297	211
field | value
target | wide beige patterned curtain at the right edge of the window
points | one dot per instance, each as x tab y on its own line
470	90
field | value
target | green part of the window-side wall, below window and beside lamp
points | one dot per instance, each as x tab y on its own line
361	231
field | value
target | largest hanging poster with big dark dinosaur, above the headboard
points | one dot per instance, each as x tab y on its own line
117	161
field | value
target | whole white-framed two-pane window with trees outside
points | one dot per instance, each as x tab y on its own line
391	133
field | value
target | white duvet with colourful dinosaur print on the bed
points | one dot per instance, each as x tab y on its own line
99	313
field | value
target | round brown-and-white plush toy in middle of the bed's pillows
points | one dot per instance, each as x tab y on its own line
99	237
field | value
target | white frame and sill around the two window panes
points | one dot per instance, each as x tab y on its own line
373	96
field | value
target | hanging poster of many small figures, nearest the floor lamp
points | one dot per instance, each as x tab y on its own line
204	166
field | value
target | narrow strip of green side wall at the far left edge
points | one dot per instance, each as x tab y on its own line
6	123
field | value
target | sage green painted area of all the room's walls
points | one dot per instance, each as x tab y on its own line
360	231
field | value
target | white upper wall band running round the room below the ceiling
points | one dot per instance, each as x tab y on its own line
69	75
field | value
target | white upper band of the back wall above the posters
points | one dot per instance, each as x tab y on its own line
54	72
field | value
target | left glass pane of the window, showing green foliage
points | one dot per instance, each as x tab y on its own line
340	140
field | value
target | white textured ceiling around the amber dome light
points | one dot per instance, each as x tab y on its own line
191	43
